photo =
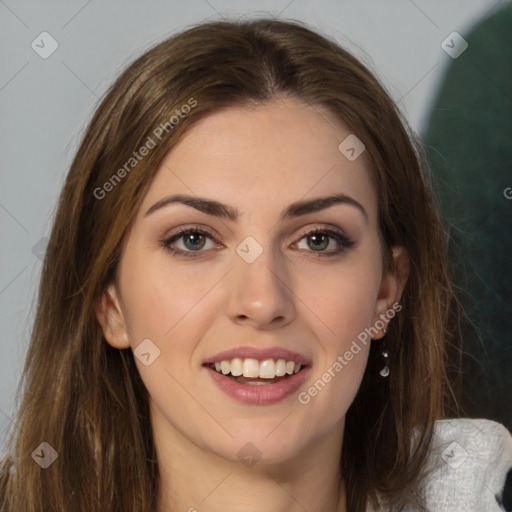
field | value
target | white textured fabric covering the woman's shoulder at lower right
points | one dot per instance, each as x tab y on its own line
468	466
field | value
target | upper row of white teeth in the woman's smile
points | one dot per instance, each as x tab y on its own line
252	368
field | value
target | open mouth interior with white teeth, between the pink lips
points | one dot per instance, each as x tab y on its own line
256	372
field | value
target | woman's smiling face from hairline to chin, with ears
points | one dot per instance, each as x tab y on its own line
259	273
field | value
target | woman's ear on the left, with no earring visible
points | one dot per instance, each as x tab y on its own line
111	318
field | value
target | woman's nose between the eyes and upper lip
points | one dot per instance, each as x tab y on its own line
260	293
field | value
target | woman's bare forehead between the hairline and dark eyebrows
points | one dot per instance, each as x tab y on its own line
275	152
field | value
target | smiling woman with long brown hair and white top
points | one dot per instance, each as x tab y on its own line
244	303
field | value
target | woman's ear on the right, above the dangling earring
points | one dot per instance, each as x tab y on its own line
392	286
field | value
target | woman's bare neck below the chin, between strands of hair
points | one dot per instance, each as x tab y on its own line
193	479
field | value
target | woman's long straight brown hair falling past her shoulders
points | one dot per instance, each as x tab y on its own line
86	399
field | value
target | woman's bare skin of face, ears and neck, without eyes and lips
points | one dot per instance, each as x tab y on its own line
259	160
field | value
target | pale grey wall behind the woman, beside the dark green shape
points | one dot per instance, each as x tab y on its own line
46	103
